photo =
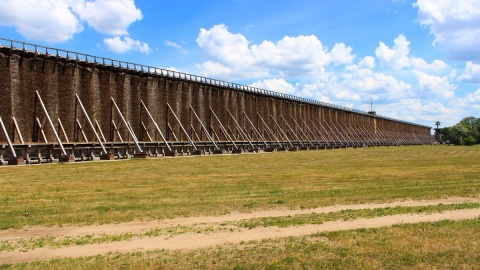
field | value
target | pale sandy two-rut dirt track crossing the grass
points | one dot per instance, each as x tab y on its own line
201	240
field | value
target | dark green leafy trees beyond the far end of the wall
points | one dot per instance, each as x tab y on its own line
466	132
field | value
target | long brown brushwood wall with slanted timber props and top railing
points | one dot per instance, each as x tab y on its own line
61	105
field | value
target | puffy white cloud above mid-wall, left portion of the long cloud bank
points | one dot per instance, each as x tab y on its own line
288	57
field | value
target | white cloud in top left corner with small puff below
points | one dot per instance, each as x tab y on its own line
60	20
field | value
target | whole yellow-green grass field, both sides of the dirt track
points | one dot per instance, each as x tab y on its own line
120	191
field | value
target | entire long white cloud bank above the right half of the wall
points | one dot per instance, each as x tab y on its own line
416	90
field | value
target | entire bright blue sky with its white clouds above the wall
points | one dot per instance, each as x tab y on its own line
418	60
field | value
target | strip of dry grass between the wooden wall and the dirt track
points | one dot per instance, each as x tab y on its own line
108	192
